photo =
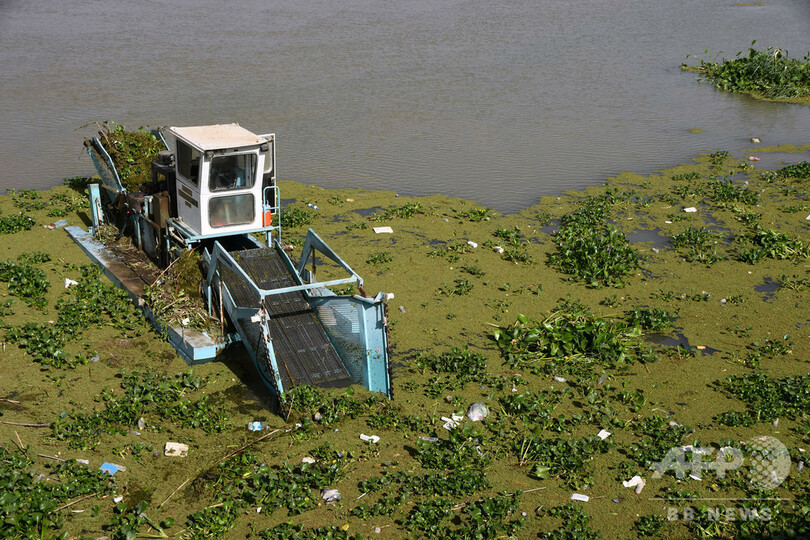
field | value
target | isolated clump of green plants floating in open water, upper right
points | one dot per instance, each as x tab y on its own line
769	73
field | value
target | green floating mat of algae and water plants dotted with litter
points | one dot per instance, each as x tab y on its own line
655	326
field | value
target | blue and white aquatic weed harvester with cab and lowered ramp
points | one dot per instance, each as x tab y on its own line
212	188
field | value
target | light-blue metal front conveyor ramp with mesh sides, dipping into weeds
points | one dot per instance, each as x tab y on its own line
298	331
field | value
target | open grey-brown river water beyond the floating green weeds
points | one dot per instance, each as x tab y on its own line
497	101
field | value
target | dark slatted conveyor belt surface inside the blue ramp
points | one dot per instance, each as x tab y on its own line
303	351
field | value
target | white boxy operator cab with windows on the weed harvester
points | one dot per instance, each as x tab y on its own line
224	179
